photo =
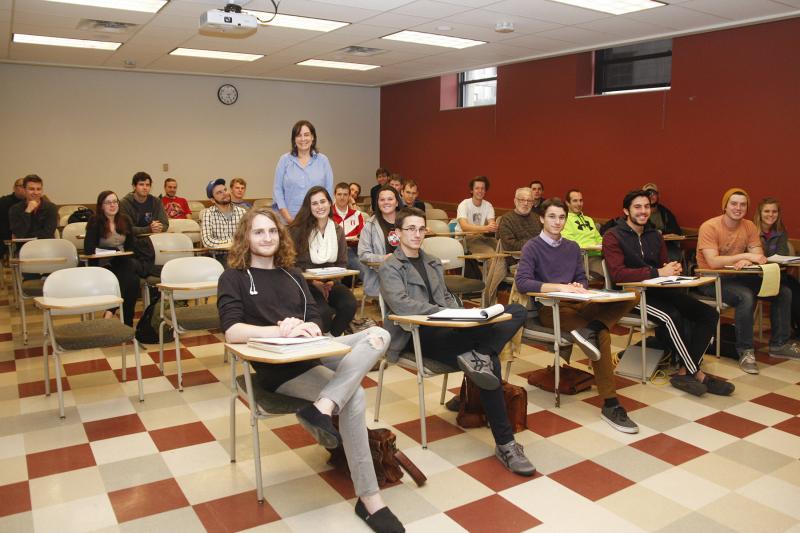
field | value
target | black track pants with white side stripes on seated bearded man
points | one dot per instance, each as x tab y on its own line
689	323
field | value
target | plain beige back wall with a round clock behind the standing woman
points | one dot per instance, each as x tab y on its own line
86	130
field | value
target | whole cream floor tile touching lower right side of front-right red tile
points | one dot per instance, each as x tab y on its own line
643	507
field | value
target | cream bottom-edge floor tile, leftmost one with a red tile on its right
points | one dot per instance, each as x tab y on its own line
85	514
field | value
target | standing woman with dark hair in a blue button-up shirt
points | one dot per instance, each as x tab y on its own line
299	170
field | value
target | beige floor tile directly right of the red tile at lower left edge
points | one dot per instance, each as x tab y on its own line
66	487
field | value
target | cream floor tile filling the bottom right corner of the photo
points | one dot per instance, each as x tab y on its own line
743	514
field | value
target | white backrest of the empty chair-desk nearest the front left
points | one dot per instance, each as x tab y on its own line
80	281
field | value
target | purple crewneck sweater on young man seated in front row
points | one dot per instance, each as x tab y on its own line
542	263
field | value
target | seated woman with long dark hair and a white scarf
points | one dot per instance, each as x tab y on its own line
320	243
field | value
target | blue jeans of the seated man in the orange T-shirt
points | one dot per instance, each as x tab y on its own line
740	293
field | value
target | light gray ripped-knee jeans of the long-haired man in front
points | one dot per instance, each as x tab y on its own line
339	379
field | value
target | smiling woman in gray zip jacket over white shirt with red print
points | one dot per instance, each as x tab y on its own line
380	237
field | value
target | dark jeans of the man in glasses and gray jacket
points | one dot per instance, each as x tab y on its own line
445	344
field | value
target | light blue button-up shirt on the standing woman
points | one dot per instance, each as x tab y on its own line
292	181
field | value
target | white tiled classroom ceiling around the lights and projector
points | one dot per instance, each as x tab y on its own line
542	28
